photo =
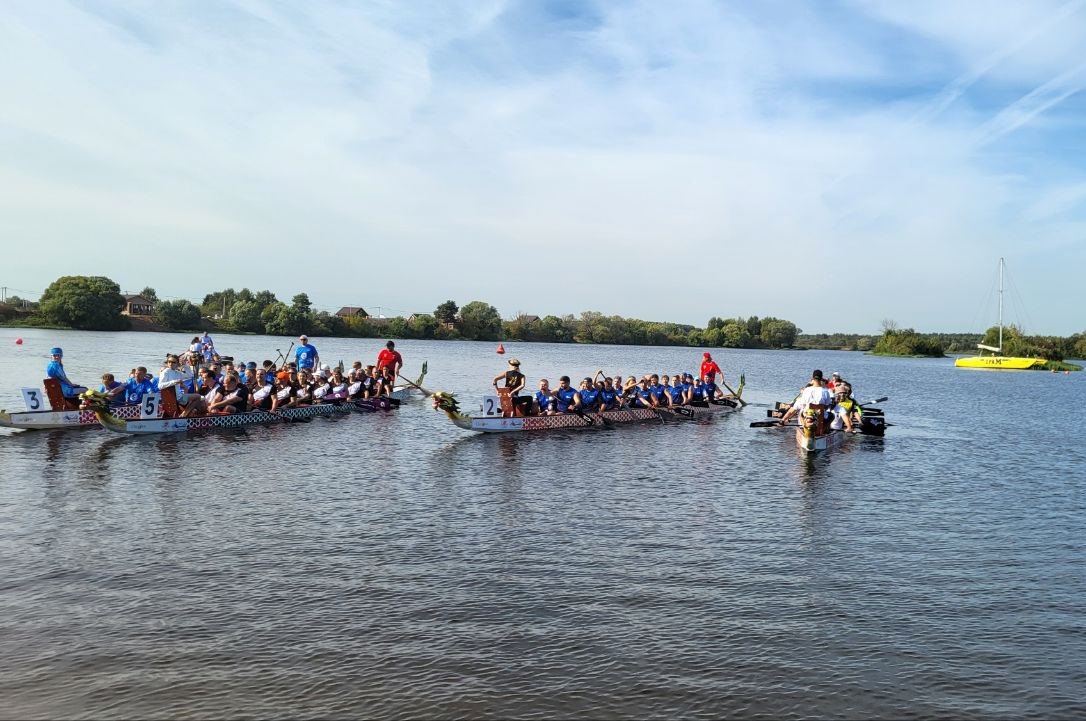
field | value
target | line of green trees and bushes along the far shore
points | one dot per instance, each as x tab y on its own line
96	303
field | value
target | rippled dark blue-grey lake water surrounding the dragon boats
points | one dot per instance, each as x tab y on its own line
392	565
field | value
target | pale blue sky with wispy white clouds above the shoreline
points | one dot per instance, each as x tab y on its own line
664	161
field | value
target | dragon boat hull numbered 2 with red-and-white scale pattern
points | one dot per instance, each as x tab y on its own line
502	421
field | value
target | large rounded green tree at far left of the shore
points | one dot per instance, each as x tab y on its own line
85	303
